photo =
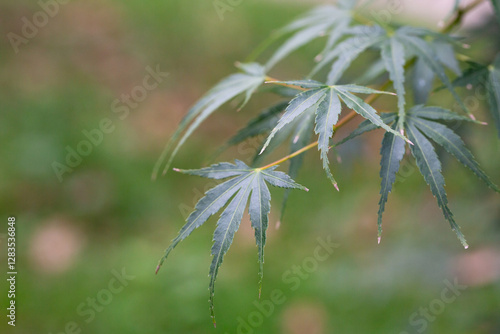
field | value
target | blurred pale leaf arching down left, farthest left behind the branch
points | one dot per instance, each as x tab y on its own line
241	83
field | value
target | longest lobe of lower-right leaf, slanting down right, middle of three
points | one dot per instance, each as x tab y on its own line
430	167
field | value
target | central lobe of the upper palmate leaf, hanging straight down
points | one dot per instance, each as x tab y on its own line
393	54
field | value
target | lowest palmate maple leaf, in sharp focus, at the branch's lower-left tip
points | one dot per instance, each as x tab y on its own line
246	185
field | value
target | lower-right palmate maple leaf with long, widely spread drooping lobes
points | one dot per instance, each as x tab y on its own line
422	123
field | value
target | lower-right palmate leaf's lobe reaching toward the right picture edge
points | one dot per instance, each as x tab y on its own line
448	139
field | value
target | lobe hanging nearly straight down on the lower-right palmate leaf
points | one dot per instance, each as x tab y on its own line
392	152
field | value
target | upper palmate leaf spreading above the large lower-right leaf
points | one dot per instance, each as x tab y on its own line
432	57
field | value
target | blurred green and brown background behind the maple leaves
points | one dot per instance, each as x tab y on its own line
107	215
